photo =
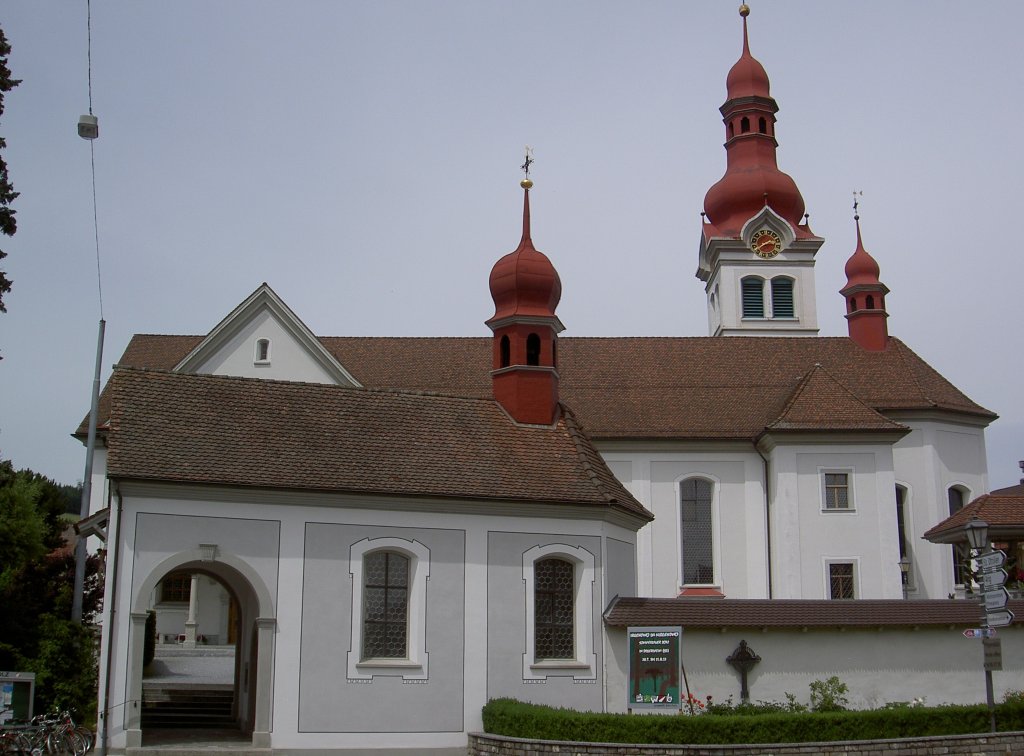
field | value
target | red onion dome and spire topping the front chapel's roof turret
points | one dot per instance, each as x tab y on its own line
525	282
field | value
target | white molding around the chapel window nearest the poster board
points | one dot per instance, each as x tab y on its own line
584	665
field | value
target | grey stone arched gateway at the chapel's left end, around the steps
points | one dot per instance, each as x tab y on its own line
254	623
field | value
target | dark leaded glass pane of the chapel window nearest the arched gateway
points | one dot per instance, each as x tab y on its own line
386	606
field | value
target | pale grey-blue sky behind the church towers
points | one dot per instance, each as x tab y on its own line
363	158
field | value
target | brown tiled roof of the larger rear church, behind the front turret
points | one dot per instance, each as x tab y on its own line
654	388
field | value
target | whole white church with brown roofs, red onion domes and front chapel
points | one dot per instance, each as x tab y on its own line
420	525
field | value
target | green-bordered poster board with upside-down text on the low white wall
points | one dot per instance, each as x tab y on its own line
655	668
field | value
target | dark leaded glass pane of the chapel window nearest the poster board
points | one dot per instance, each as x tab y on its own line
554	606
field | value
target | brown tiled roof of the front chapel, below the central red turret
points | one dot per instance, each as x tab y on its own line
241	432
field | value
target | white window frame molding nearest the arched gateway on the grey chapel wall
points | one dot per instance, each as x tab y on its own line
415	665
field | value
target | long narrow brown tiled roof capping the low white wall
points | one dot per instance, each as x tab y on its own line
707	613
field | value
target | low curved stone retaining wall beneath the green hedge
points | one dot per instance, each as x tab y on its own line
1002	744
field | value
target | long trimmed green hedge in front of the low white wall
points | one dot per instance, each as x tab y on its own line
517	720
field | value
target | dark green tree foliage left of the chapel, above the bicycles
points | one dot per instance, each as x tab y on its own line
37	576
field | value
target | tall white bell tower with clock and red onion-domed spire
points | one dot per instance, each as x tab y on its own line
757	249
